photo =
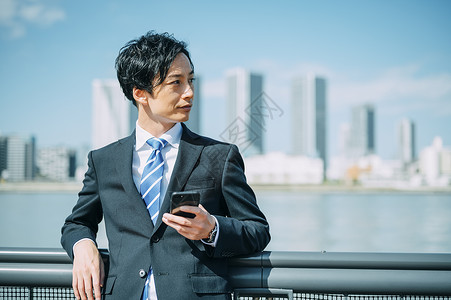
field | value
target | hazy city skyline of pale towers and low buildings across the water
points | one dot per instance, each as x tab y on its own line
113	118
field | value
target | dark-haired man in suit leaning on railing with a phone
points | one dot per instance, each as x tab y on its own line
155	254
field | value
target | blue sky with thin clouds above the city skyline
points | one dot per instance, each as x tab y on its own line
394	54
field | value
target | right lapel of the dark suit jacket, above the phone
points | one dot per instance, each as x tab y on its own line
187	158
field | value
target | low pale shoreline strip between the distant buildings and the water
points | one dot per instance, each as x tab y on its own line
75	187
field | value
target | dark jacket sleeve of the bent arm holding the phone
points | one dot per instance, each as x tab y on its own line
245	230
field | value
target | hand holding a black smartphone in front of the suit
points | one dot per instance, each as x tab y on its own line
188	217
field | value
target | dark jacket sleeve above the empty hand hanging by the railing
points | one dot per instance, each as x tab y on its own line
87	213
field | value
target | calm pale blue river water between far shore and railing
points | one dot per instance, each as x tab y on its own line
299	220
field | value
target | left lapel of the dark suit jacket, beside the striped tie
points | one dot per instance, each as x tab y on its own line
124	159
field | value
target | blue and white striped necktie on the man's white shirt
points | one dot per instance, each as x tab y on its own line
152	176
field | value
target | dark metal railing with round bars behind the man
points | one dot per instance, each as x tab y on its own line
47	274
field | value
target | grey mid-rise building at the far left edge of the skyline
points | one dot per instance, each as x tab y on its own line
17	158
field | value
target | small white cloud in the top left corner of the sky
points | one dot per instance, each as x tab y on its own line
16	15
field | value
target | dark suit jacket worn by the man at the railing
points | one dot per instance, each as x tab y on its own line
183	269
